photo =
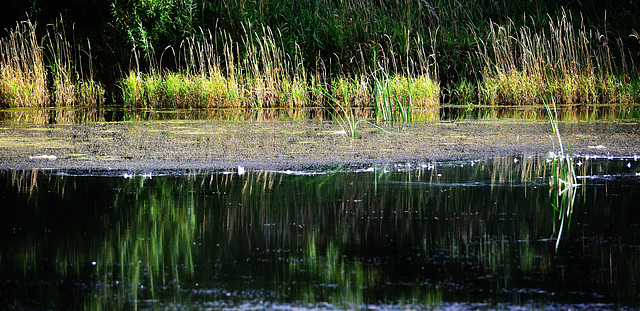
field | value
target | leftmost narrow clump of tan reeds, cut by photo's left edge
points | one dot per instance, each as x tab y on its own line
23	77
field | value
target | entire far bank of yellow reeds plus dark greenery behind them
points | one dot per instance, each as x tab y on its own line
265	54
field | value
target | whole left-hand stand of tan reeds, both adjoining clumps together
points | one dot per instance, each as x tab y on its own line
29	61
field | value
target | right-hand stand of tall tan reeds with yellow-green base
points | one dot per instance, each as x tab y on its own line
571	65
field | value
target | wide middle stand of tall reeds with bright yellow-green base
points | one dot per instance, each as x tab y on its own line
216	72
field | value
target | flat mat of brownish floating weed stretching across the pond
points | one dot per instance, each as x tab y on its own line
274	145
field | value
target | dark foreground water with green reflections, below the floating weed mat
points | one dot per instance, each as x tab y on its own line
456	235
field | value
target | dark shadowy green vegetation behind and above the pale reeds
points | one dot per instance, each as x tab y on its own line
342	35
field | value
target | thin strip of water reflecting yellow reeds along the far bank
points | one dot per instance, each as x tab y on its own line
116	114
